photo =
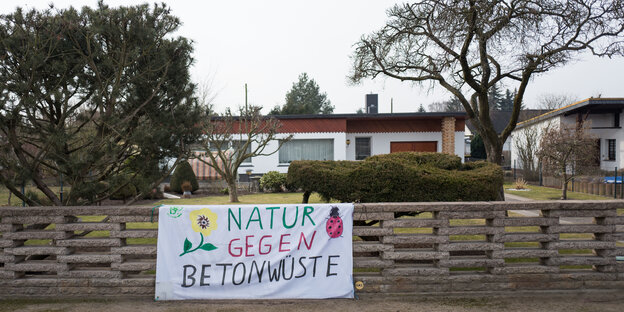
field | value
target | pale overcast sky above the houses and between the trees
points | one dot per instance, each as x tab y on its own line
268	44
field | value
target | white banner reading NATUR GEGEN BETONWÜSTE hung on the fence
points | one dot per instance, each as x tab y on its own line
254	252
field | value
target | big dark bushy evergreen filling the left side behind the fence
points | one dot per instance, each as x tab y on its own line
101	95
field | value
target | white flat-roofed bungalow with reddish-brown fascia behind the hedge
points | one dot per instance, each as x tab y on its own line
354	137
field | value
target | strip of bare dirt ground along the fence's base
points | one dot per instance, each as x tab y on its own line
568	302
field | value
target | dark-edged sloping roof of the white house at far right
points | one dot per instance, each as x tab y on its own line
590	105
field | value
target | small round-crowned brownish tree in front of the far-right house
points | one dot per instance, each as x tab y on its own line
567	150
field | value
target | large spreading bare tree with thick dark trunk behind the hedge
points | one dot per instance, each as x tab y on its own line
468	47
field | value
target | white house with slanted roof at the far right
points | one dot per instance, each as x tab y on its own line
606	120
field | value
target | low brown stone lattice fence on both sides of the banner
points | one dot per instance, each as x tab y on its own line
447	247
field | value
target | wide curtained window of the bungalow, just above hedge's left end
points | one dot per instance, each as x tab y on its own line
318	149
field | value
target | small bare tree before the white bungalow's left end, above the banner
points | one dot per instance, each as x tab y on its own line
230	140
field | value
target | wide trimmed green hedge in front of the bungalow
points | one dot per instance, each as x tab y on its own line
399	177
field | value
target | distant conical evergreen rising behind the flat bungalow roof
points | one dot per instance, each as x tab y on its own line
304	97
